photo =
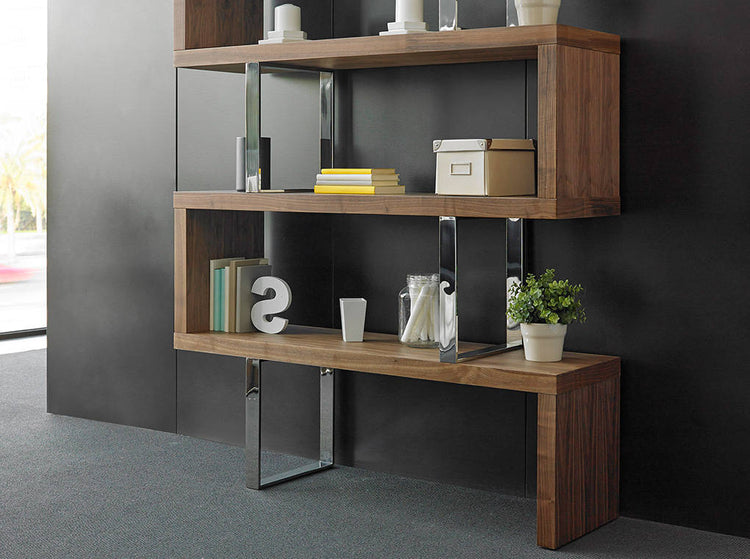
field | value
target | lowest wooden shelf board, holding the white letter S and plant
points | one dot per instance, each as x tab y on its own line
383	354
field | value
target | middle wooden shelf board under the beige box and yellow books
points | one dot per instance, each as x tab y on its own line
410	204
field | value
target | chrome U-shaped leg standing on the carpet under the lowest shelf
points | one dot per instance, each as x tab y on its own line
254	479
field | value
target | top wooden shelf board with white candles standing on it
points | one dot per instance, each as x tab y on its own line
448	47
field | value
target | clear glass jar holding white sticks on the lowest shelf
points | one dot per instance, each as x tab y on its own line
418	311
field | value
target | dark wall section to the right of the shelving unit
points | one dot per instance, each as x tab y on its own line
666	281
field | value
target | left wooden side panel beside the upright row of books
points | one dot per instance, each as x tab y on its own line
199	237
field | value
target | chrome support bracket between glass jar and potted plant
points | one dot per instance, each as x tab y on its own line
448	294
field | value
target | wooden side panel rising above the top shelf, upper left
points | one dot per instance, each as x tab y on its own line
217	23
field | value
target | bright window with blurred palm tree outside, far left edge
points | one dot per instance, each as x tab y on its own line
23	165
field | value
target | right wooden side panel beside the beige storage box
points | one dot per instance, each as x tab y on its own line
579	123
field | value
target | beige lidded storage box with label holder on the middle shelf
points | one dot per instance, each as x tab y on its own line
485	167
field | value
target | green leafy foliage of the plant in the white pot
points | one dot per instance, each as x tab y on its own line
545	300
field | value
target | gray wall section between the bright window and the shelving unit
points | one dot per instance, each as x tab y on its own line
111	178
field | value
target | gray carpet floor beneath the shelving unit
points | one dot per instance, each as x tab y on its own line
76	488
